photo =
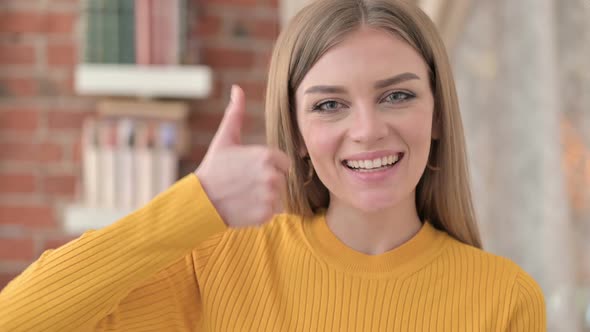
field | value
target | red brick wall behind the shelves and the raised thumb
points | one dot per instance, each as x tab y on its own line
41	116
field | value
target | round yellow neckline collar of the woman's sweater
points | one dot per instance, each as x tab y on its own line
407	258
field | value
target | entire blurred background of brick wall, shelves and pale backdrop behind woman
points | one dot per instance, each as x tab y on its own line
98	94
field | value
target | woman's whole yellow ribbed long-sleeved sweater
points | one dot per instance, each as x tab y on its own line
174	266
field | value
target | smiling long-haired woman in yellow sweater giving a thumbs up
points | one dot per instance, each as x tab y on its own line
366	152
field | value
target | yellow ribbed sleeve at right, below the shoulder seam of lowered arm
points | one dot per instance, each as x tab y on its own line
528	311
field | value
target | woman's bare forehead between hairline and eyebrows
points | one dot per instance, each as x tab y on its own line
365	56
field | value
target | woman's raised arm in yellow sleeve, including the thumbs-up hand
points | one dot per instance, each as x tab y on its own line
103	279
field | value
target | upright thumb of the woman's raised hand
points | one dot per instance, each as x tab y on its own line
230	129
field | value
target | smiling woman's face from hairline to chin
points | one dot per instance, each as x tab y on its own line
365	113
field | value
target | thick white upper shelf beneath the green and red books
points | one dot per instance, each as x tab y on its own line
143	81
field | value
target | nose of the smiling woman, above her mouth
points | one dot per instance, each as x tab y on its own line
368	125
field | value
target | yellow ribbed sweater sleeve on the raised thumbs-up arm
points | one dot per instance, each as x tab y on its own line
112	277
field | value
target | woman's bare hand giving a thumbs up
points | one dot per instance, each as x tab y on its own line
244	182
